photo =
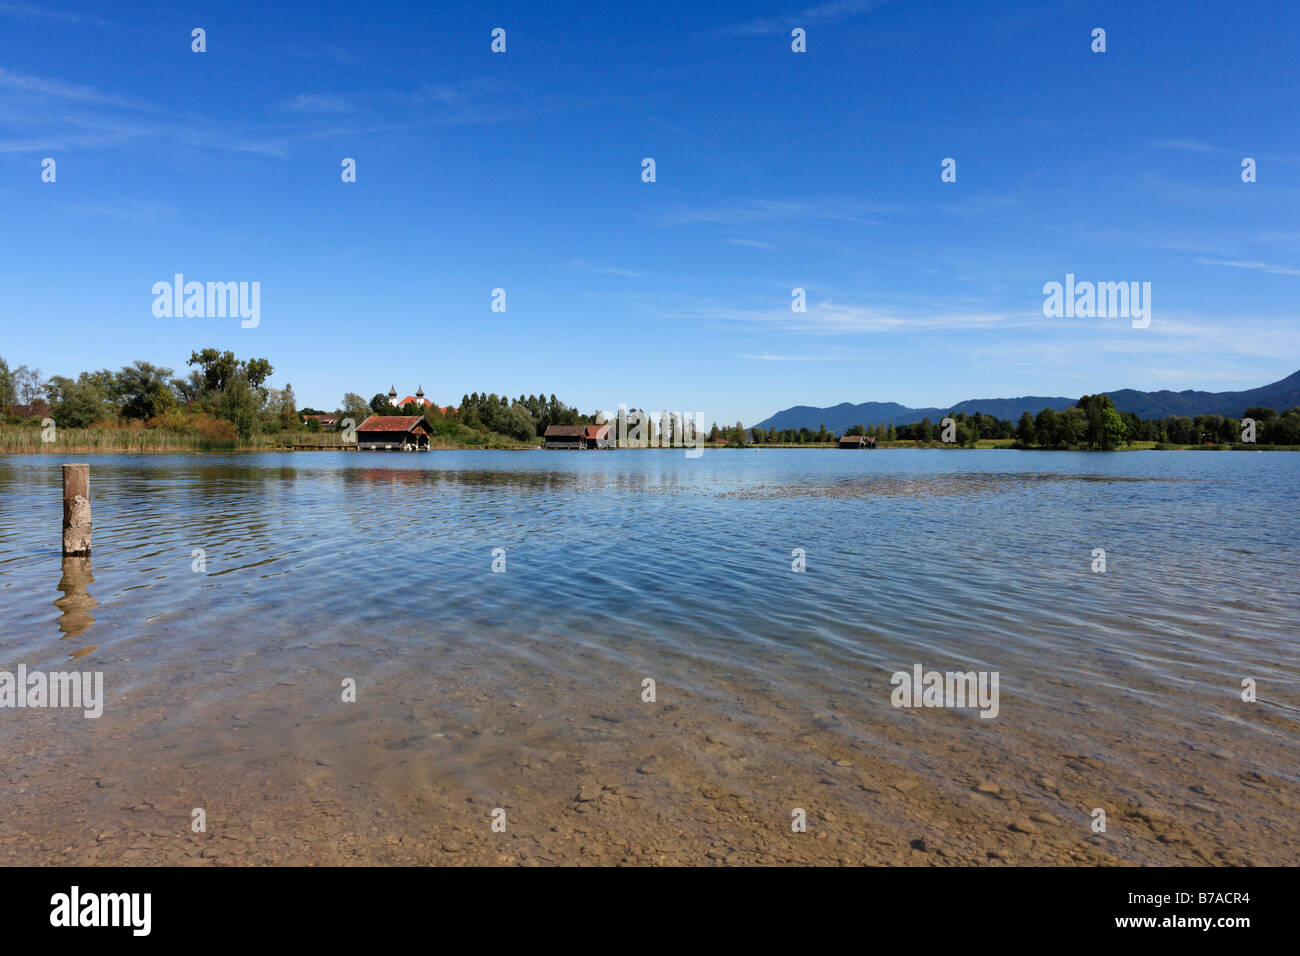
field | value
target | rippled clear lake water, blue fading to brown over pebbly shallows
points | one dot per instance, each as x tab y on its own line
501	613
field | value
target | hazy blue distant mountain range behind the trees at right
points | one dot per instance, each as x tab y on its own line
1147	405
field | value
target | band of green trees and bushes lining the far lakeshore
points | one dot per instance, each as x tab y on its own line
223	397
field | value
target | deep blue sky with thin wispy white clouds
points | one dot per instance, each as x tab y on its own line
774	170
